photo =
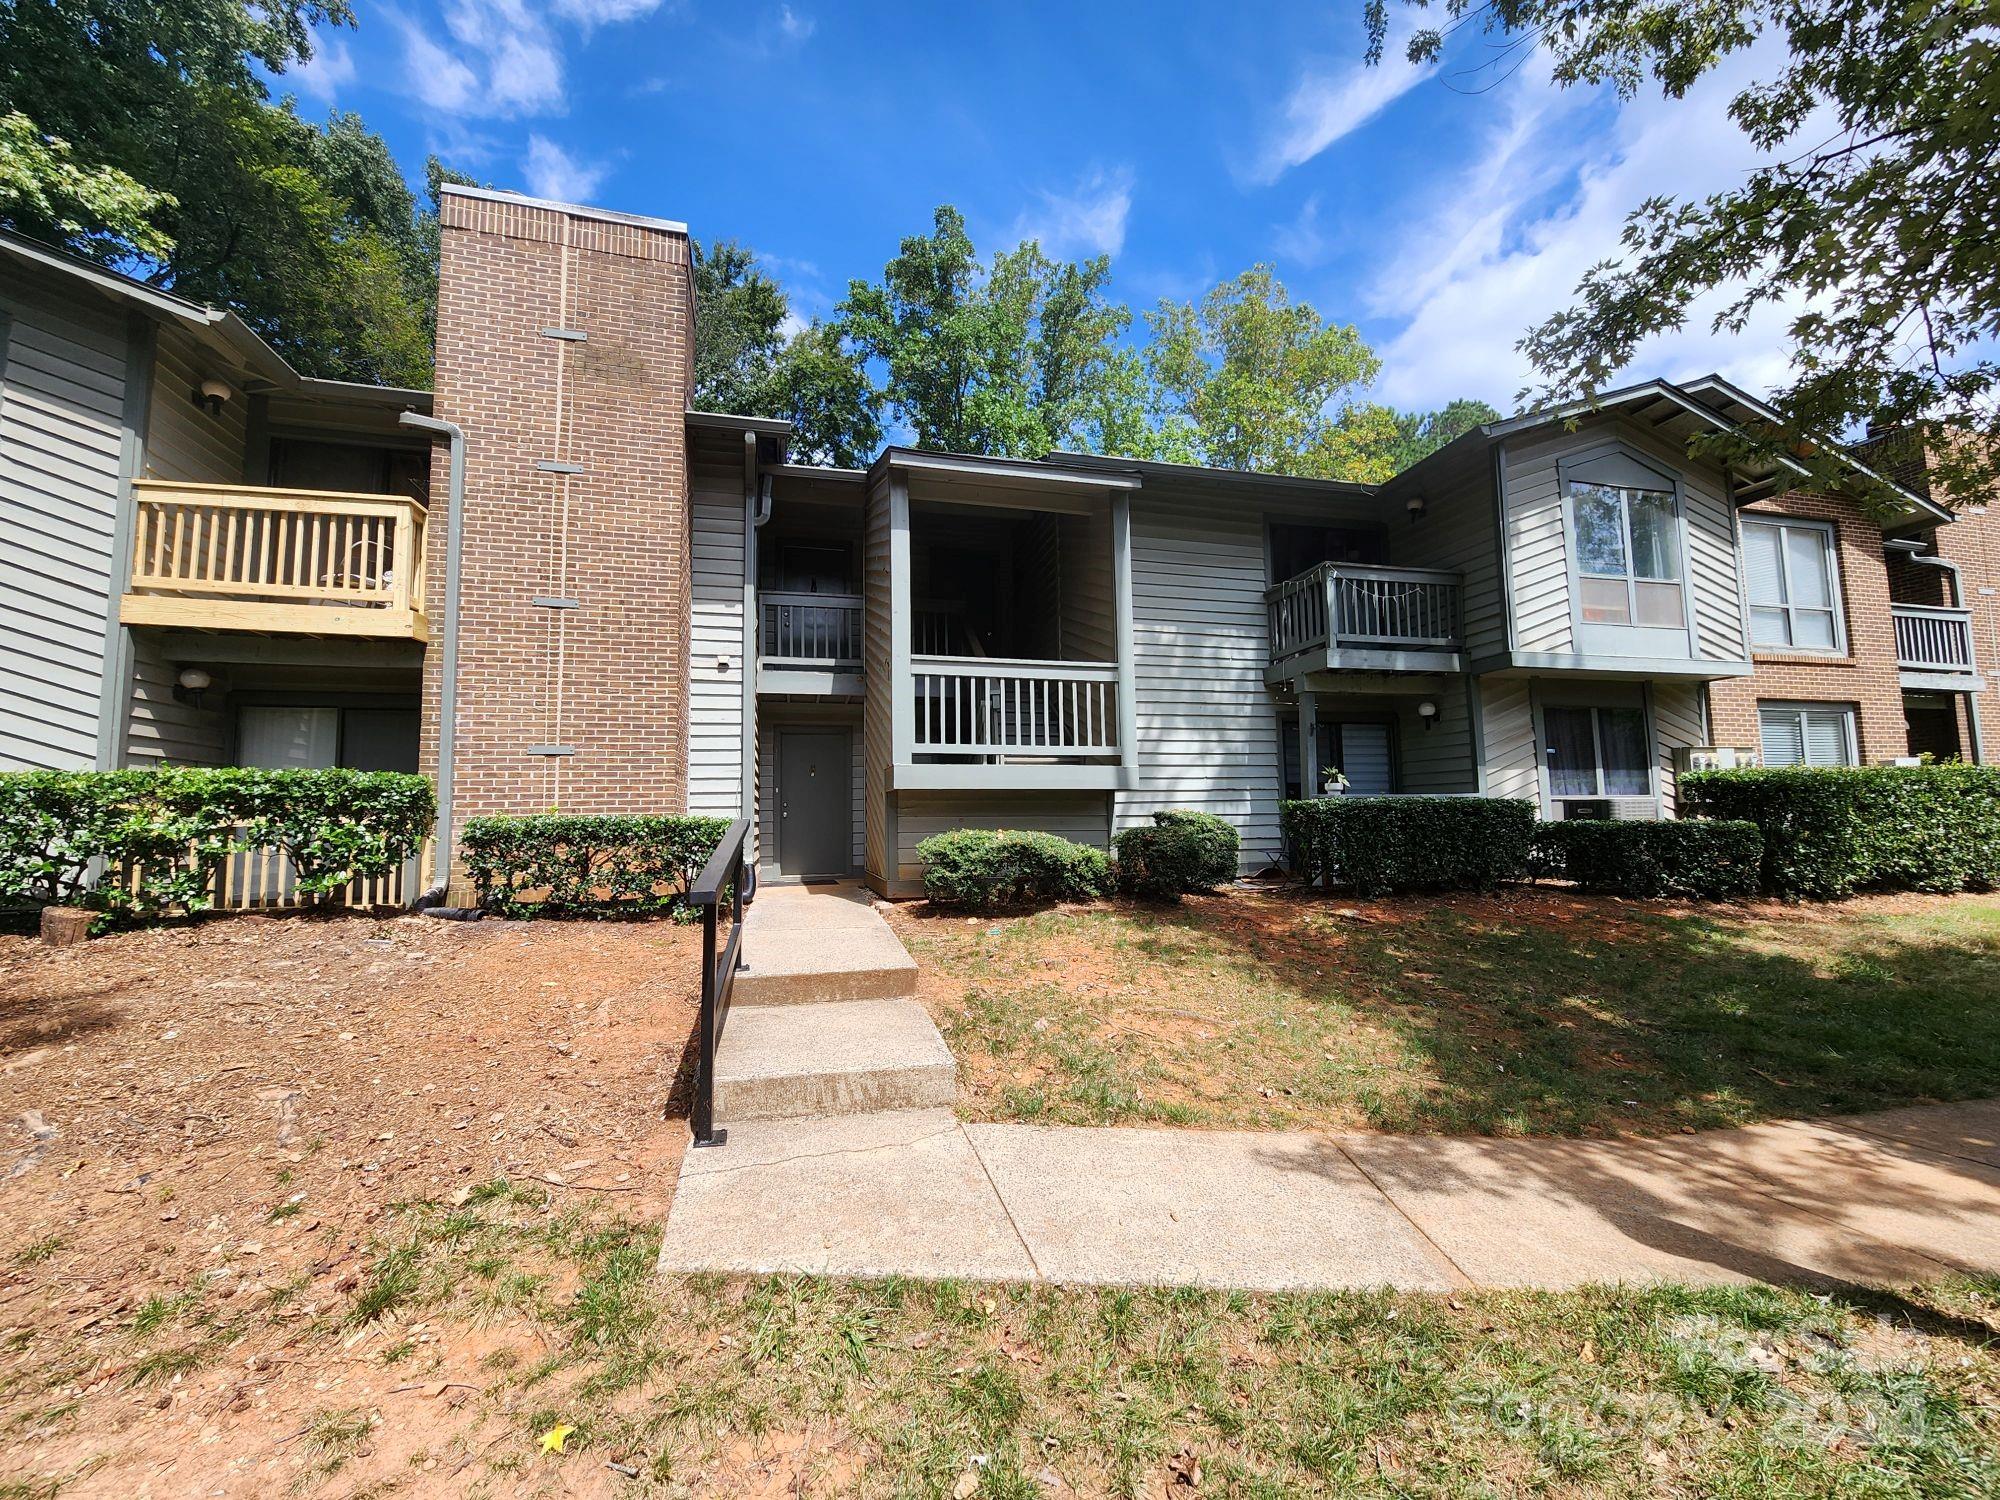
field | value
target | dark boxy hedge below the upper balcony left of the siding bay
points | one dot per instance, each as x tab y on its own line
1383	845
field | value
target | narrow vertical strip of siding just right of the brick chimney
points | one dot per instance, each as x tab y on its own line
717	635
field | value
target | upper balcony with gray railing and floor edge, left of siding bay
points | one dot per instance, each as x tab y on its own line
1349	617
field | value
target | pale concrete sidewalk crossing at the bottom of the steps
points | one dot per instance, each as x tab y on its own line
1883	1199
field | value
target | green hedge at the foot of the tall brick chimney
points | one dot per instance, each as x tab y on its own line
557	865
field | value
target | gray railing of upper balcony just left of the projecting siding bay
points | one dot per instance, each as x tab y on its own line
1343	605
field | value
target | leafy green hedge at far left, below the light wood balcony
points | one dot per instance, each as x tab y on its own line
147	843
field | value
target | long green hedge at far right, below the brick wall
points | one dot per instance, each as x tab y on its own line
1837	831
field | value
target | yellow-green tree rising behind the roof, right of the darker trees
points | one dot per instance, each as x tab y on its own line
1249	379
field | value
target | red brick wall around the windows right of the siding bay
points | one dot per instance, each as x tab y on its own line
1863	679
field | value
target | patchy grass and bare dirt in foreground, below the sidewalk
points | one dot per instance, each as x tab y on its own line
479	1329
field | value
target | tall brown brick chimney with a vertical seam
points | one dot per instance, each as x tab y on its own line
609	679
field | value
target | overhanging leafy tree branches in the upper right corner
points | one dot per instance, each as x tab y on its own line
1873	219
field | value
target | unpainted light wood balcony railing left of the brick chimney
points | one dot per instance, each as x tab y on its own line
315	563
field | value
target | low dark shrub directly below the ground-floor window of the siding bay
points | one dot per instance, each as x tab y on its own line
1699	859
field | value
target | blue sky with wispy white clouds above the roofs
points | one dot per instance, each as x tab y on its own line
1439	211
